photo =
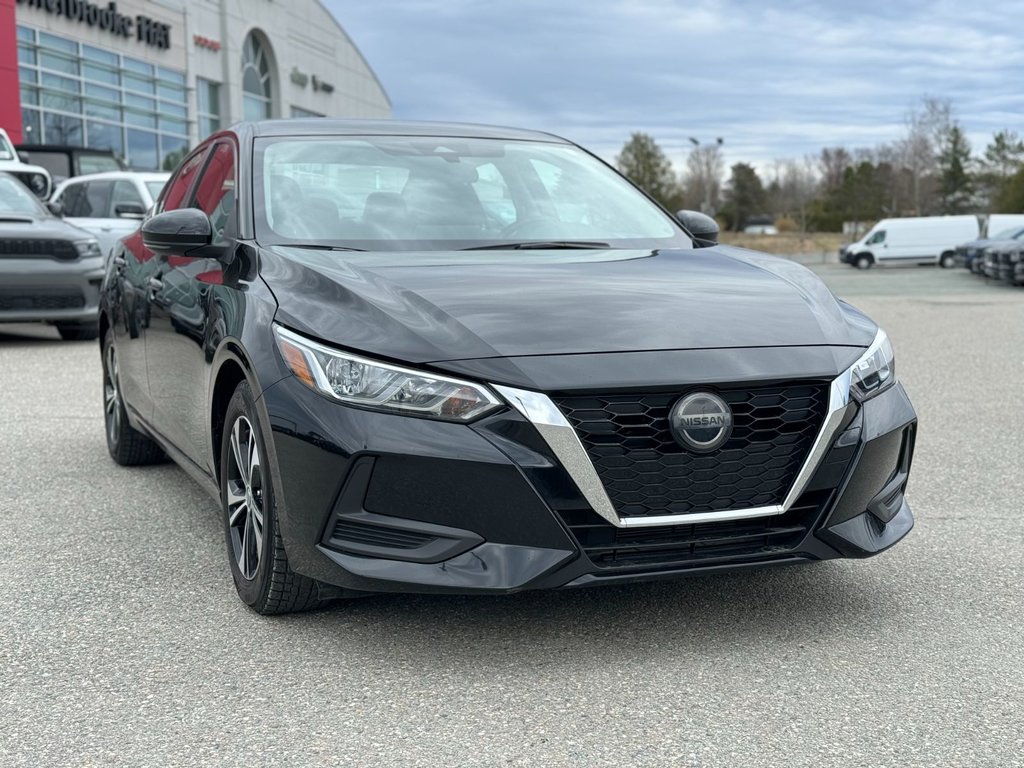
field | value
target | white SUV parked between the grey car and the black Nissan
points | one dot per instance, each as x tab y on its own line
109	205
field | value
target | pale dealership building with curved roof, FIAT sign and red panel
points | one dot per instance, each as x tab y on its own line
149	79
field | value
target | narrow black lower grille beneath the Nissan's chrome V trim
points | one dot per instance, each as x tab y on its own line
664	546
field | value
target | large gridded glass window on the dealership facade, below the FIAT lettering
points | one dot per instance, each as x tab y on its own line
120	113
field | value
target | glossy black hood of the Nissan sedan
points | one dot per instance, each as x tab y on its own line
442	307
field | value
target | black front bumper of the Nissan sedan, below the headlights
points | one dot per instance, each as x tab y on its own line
373	502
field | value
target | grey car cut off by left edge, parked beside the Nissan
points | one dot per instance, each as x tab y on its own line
50	271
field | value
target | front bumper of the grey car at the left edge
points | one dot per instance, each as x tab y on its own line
41	289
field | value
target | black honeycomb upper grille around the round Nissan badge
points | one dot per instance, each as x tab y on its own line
647	473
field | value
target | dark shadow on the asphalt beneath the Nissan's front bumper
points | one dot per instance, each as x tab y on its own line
698	616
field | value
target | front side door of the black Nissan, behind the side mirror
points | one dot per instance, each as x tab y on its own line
179	344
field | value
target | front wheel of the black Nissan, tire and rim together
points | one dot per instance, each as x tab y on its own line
255	550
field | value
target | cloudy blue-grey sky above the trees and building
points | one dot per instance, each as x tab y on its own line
773	79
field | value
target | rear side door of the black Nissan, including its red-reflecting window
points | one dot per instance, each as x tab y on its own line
135	269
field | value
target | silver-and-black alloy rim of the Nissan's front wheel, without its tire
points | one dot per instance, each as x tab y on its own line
245	498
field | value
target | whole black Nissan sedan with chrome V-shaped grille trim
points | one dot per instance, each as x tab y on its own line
454	359
